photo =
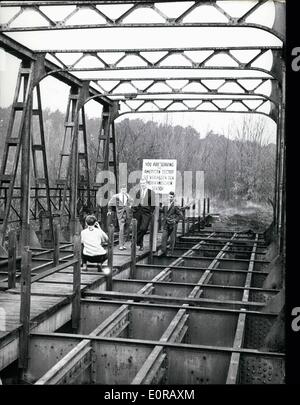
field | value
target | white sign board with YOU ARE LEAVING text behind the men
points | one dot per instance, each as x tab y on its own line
160	174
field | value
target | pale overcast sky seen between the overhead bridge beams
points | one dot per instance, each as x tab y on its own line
55	94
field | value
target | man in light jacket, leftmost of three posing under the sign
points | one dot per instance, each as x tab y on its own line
122	203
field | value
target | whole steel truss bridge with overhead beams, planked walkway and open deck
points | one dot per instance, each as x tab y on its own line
203	313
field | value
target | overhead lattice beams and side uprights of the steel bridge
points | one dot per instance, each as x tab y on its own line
91	87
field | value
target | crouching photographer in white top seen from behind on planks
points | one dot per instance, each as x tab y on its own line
92	239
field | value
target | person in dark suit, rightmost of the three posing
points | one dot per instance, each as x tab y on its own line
172	215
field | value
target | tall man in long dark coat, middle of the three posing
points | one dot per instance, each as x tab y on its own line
142	209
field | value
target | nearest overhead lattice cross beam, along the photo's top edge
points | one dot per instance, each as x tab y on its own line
222	18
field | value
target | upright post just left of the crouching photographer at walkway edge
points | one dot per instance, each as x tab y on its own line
76	283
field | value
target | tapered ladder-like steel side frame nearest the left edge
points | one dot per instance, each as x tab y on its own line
18	144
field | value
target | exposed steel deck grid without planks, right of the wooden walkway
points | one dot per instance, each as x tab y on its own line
198	317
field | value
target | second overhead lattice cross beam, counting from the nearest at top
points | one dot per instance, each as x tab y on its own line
163	58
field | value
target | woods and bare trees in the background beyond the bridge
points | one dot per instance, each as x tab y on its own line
239	167
